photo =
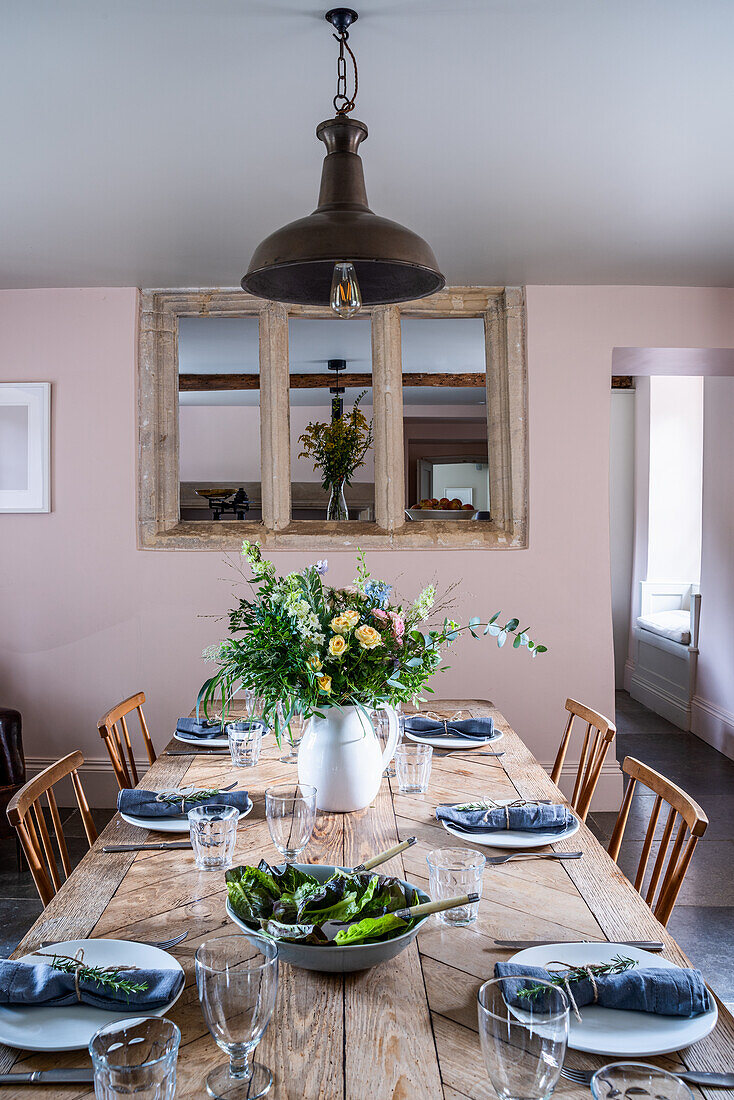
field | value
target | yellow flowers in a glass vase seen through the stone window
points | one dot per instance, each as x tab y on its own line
338	449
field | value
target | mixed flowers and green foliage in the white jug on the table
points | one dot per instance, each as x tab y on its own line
308	646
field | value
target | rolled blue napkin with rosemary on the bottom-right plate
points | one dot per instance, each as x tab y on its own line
667	993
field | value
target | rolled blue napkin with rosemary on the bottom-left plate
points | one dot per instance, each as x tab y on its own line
39	984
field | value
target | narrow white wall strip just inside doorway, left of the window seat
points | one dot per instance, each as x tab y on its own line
622	518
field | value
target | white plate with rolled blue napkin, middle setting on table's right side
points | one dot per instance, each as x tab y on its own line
510	823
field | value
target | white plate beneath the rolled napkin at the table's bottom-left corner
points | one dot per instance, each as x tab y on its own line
70	1028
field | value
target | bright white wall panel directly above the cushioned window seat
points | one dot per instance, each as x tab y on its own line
676	472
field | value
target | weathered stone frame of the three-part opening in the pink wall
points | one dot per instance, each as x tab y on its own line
160	526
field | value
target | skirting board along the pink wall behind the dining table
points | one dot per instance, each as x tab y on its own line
102	789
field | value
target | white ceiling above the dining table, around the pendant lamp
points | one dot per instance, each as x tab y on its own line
154	142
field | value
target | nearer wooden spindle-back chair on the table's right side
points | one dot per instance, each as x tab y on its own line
693	824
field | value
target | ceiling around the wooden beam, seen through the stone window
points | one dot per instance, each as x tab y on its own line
231	346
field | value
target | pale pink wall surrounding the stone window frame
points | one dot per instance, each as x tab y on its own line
87	618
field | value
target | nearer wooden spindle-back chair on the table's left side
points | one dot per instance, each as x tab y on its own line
27	817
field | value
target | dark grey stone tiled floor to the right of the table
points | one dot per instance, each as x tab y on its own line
703	921
